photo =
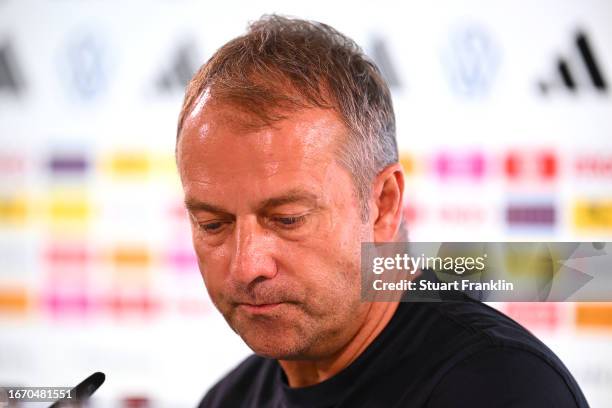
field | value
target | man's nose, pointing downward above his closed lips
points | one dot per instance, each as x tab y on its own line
252	257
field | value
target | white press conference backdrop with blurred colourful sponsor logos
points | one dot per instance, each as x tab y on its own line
504	114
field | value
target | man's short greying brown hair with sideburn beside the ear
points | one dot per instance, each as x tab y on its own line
282	65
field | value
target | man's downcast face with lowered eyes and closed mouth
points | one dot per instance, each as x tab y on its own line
276	227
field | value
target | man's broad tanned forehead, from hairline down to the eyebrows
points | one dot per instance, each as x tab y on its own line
217	153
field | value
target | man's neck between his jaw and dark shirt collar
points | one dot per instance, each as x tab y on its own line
302	373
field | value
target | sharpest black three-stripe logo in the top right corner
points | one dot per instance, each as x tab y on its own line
579	71
